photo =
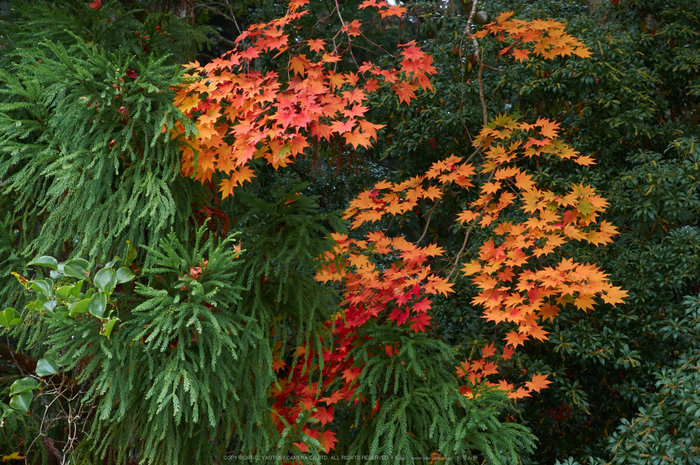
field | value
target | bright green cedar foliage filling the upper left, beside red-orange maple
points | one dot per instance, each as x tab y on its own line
81	123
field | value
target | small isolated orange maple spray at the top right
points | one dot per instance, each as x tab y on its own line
547	39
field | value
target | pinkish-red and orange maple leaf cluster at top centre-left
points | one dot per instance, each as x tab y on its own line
241	114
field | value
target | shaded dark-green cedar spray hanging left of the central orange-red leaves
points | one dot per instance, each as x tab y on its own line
283	234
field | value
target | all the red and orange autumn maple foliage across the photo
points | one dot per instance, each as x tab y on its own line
243	114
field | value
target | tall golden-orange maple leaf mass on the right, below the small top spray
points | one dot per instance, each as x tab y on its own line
515	287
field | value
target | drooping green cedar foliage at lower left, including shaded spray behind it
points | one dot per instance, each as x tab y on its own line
186	373
